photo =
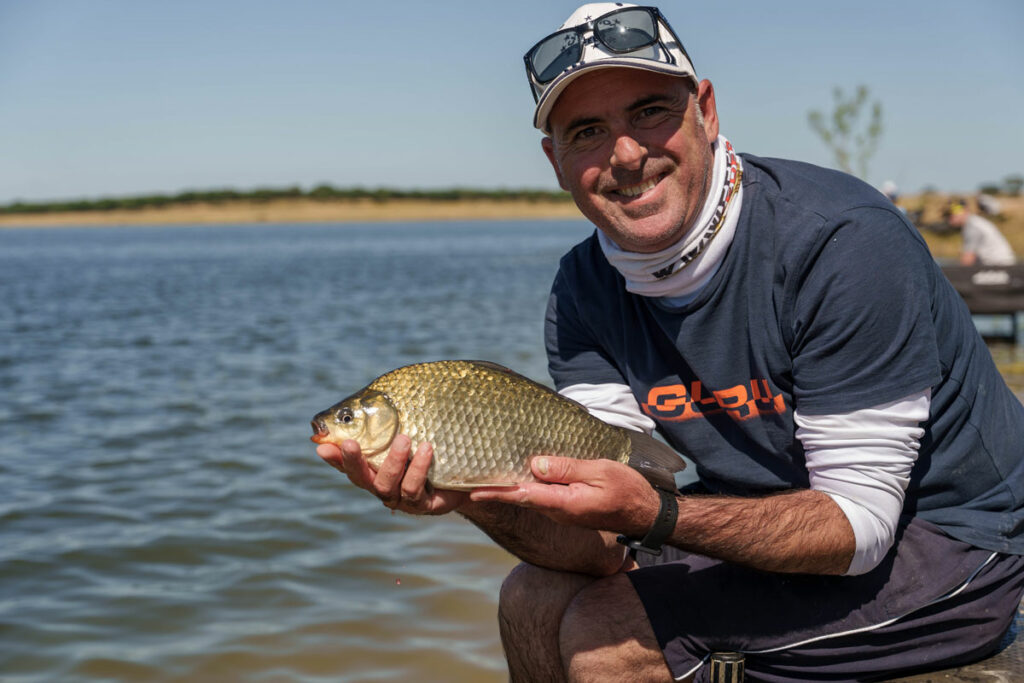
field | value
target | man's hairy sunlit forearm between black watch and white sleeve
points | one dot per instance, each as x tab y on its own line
801	532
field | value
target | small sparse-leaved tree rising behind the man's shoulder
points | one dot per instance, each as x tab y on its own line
852	133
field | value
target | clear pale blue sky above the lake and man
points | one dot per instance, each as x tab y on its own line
118	98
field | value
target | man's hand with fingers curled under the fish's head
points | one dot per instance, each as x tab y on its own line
401	483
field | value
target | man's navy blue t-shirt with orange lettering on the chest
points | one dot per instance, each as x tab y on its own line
828	302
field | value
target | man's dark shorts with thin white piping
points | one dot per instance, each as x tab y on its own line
933	603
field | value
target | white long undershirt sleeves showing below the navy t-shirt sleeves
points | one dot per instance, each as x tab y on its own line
863	459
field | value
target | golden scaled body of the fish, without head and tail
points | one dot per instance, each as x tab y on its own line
485	423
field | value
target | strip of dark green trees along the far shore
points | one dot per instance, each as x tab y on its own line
324	193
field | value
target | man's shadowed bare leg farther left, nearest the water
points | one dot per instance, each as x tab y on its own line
530	612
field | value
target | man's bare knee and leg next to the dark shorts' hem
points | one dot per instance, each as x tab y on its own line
606	636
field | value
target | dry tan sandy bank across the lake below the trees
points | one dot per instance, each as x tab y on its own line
300	211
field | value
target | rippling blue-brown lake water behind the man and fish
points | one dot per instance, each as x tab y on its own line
164	516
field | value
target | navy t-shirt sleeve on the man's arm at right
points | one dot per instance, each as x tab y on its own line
863	333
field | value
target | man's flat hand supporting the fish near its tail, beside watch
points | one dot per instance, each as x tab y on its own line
594	494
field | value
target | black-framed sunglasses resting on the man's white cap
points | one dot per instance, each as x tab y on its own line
619	32
